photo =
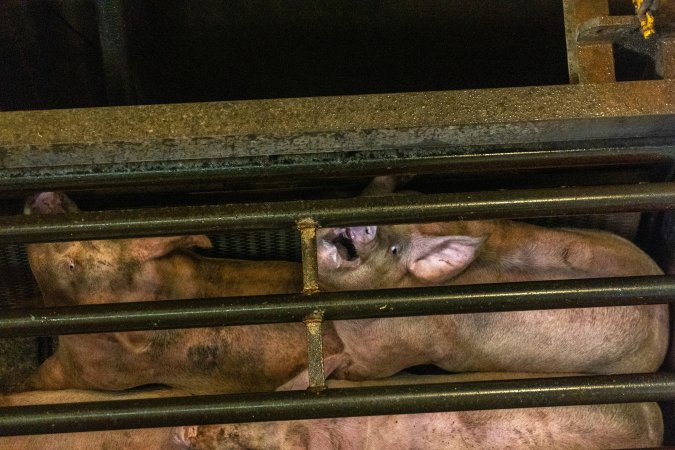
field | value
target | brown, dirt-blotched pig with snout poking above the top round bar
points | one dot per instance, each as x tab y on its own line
233	359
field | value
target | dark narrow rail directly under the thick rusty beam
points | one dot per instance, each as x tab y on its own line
353	163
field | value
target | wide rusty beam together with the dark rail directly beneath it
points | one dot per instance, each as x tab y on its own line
209	143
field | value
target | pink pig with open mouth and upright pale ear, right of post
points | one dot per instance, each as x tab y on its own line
591	340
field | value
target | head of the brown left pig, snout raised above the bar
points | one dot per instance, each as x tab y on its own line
103	271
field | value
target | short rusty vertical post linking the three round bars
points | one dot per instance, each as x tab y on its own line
313	322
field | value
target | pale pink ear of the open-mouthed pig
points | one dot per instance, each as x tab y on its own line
437	258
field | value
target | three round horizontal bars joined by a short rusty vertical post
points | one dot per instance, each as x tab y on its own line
312	308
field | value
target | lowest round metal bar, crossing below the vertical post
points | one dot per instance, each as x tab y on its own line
364	401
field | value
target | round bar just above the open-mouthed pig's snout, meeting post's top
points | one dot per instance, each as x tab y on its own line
339	212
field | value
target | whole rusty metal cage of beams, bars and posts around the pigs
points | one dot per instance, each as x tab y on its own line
271	171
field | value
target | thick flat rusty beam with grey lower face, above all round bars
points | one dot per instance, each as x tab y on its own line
101	137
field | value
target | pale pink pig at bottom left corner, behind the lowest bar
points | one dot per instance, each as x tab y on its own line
140	439
